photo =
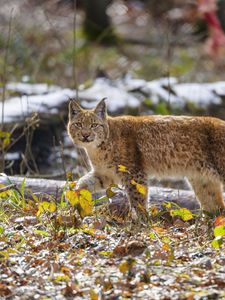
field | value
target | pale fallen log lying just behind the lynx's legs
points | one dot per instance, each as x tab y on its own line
157	195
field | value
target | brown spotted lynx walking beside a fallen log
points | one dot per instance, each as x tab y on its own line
155	146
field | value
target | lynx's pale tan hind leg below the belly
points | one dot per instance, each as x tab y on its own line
209	193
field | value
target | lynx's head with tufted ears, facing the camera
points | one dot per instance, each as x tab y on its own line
88	127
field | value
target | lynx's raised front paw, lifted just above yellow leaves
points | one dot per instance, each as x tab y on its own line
93	182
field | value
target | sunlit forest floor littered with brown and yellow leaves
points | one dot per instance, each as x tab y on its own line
48	253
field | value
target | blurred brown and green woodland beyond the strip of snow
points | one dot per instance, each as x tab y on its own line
148	38
